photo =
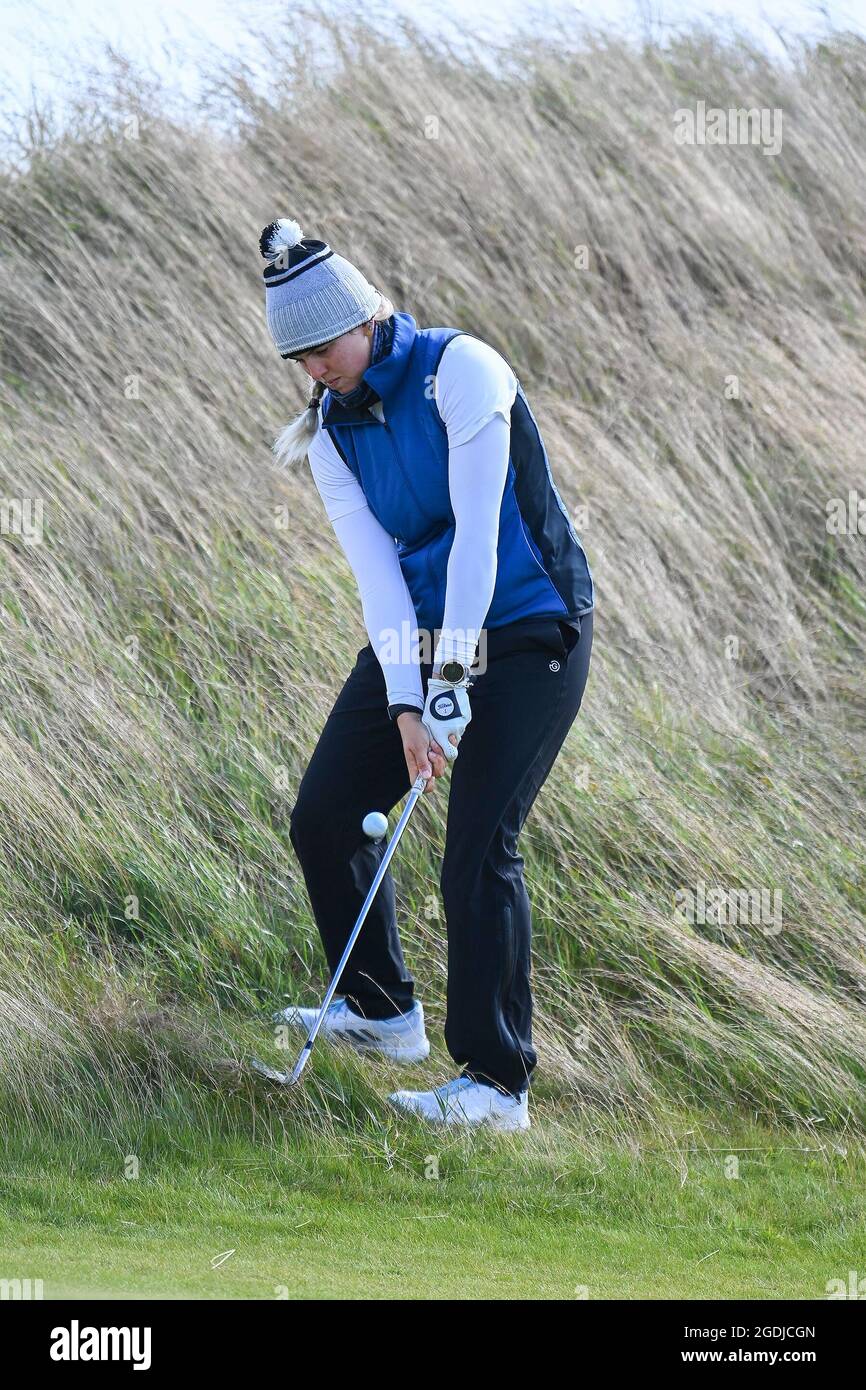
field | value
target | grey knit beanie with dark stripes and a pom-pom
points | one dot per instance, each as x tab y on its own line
311	294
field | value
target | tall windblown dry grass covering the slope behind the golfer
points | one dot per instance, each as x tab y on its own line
155	721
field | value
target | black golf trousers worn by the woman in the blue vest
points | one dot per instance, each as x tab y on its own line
523	705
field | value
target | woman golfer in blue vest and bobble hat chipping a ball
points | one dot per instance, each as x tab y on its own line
479	603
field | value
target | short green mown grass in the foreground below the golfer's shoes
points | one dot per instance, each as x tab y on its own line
547	1216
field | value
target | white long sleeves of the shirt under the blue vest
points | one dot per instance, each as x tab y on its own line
475	393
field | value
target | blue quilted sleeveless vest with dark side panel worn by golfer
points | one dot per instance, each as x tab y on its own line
402	468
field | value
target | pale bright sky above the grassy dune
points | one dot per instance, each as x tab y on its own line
45	44
